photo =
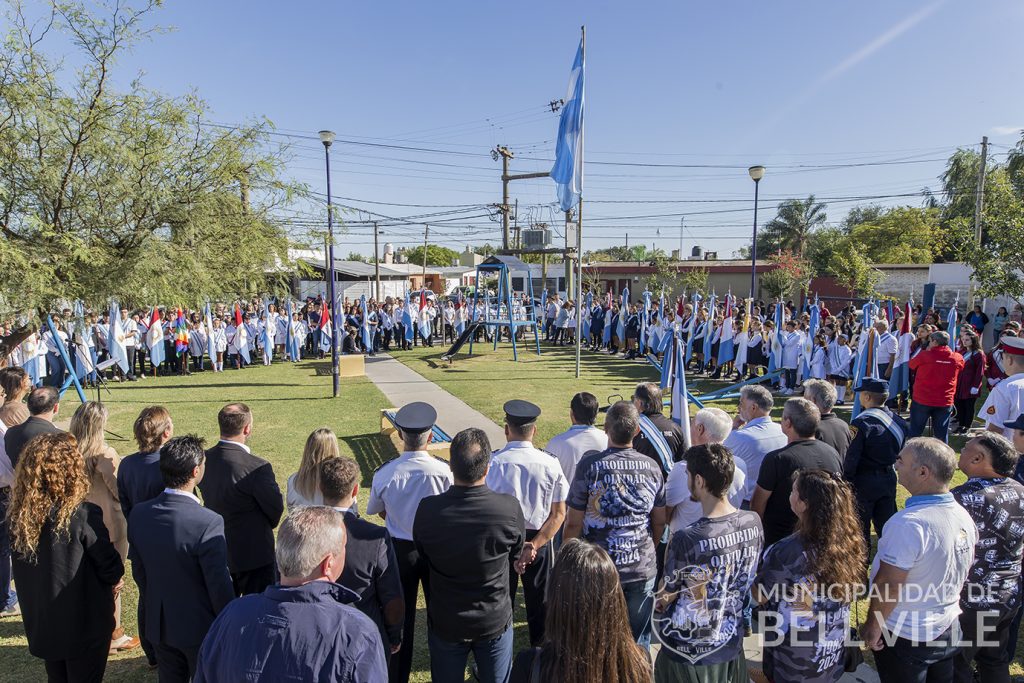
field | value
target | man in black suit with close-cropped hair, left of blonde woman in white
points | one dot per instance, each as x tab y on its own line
242	489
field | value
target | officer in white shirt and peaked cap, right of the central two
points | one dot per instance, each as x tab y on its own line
536	480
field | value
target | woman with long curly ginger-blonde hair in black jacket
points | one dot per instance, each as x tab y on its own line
67	570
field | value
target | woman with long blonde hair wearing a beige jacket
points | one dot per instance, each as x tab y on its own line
102	469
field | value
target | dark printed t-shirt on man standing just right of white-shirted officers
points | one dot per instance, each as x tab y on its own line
617	490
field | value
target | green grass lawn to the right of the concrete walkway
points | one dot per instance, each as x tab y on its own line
490	378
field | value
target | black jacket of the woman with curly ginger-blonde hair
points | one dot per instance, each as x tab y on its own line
67	594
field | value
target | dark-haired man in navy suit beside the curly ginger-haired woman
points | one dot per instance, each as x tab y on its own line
182	562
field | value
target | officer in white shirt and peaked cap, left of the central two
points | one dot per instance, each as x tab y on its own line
395	495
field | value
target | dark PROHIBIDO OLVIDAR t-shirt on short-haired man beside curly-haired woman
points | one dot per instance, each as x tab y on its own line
709	571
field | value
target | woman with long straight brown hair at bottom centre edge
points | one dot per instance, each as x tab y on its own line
587	633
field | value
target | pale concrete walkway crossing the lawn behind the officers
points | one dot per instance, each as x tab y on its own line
403	386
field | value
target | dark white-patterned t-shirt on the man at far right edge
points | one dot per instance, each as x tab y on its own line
998	509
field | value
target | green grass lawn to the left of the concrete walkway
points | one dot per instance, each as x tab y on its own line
288	403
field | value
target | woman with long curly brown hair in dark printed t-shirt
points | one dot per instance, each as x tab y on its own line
809	580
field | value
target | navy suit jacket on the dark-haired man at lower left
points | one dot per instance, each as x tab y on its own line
182	569
